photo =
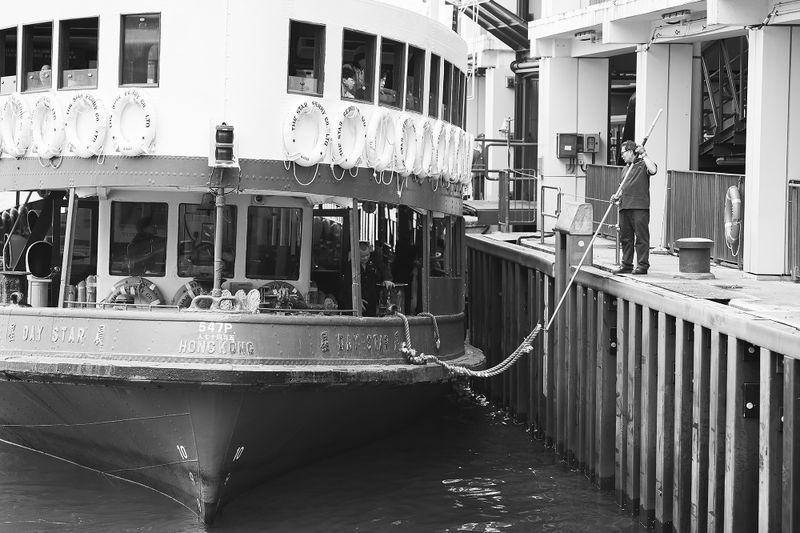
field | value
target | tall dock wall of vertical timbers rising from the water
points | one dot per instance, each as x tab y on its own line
688	408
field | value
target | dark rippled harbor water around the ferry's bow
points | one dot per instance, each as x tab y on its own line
461	467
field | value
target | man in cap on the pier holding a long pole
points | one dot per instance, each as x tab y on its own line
634	208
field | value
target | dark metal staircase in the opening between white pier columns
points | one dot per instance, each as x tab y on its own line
724	105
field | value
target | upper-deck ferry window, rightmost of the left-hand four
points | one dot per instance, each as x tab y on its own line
141	40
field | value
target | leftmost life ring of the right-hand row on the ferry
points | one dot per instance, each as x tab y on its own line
299	149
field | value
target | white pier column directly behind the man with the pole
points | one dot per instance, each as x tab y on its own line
664	81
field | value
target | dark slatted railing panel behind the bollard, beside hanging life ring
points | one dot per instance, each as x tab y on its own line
695	208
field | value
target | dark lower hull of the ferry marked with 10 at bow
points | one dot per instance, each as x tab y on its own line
199	444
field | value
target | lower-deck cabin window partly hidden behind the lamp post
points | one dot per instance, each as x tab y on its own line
197	225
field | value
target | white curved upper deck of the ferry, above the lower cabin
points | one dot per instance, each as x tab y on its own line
199	64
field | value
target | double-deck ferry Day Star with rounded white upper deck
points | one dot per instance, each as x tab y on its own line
198	184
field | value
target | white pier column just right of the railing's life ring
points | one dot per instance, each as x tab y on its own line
773	131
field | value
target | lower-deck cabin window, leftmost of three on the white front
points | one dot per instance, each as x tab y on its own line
138	239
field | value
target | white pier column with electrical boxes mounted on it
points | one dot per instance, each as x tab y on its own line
573	98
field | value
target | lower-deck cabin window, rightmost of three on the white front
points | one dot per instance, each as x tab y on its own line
274	242
